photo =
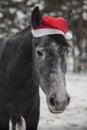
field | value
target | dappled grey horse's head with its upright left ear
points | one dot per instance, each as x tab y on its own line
49	52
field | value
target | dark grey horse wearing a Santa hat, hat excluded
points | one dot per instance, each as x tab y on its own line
27	62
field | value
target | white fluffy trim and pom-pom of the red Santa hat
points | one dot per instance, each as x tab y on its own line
44	32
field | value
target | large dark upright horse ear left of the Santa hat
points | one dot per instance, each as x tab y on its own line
36	17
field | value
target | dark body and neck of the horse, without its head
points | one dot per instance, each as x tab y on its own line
19	95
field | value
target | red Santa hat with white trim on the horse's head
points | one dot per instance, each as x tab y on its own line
50	26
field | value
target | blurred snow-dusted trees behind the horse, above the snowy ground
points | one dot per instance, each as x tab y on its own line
15	15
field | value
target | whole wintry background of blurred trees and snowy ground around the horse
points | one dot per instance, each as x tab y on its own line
15	15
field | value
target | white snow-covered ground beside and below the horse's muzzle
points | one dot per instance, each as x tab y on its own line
75	116
